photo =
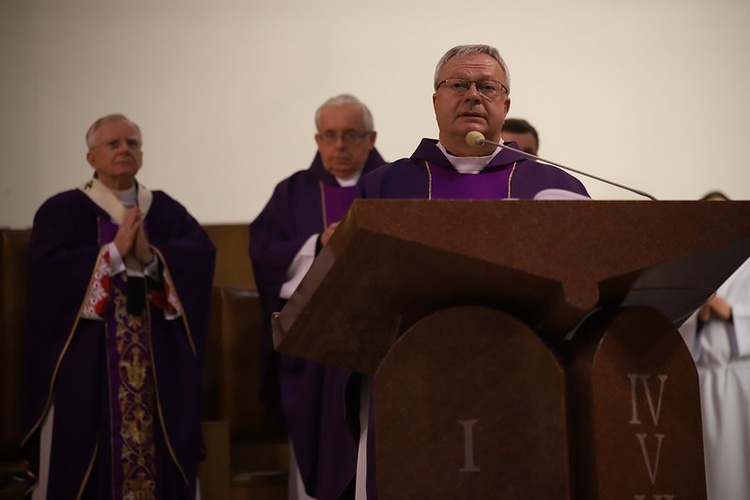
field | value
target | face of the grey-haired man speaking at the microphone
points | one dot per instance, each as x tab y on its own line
458	115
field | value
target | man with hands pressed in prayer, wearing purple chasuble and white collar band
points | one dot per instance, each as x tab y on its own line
119	295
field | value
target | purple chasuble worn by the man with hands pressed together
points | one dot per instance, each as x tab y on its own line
76	362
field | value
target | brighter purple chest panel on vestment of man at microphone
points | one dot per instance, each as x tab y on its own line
448	184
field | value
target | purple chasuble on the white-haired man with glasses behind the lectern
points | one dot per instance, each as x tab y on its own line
317	402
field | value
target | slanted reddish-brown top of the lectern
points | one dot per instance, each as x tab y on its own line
548	263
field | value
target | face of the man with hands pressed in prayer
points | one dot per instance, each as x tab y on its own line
116	155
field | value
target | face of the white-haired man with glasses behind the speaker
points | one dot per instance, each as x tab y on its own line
343	139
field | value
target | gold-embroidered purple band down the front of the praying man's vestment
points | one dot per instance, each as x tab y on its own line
131	429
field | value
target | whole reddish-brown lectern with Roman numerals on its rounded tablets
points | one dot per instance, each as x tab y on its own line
463	311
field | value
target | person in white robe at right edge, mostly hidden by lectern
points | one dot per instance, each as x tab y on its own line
718	335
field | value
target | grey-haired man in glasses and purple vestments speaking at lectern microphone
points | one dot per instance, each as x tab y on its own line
472	93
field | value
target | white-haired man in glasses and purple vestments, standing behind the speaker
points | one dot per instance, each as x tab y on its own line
300	217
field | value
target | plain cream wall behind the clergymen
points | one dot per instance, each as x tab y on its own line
649	93
